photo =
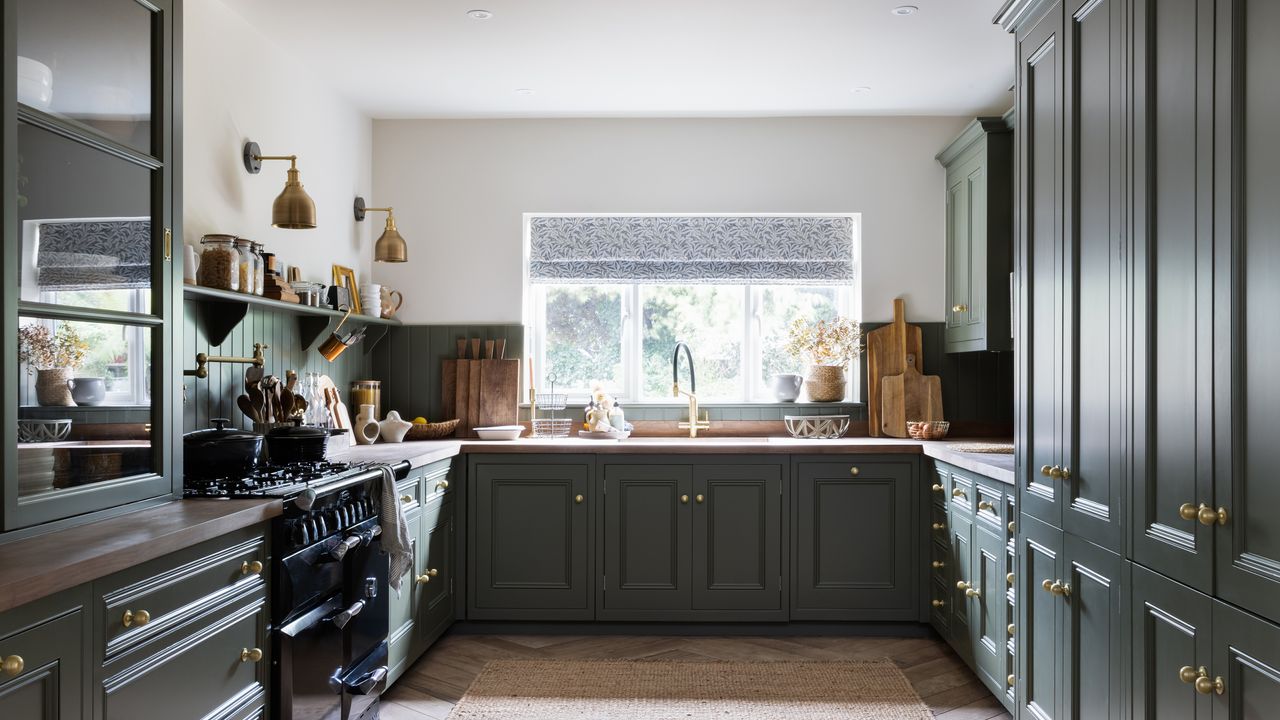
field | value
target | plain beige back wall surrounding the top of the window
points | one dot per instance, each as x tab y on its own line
461	189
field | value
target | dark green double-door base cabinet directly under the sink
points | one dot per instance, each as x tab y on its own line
689	541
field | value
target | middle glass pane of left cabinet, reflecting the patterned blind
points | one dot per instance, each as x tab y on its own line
85	222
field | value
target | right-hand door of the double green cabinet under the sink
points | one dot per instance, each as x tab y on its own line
738	537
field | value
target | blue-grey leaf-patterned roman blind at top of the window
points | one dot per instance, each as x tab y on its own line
692	249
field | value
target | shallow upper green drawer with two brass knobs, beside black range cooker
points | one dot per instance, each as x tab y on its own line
145	601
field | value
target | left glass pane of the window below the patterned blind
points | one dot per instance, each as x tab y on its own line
584	339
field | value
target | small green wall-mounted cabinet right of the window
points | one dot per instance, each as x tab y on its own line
980	207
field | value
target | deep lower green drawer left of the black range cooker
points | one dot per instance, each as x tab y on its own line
203	669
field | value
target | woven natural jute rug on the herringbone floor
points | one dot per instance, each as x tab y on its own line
659	690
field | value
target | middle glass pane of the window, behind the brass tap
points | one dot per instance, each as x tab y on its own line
710	320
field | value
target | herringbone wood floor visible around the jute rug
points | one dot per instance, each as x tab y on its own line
438	680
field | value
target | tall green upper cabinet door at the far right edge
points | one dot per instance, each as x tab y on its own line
1247	335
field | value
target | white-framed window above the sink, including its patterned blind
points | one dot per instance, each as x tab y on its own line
605	325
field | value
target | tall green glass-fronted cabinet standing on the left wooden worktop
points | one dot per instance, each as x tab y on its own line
90	385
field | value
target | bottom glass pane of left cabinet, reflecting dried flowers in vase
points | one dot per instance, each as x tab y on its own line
72	429
